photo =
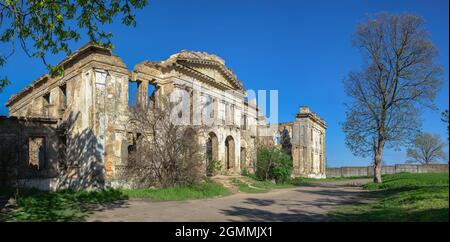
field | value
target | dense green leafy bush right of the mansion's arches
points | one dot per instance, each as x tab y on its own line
273	163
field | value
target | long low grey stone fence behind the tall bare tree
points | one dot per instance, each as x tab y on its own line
368	170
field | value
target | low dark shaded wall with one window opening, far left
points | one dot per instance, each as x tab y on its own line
28	148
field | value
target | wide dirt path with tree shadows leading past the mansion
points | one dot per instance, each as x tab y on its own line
305	203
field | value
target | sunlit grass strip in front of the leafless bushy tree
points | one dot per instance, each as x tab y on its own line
202	190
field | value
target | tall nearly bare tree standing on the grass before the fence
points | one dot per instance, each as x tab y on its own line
399	77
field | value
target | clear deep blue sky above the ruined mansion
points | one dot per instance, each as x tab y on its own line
301	48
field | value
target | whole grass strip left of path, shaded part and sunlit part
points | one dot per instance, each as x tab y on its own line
66	205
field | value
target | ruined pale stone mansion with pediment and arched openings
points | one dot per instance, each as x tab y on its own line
83	116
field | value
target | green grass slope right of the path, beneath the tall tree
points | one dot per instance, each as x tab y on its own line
402	197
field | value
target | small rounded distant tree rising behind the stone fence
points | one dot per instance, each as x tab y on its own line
427	149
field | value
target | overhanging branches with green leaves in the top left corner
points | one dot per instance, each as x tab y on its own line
42	26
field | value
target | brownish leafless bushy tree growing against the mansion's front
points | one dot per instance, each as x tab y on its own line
164	153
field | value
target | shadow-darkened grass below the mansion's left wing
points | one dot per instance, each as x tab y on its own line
36	205
